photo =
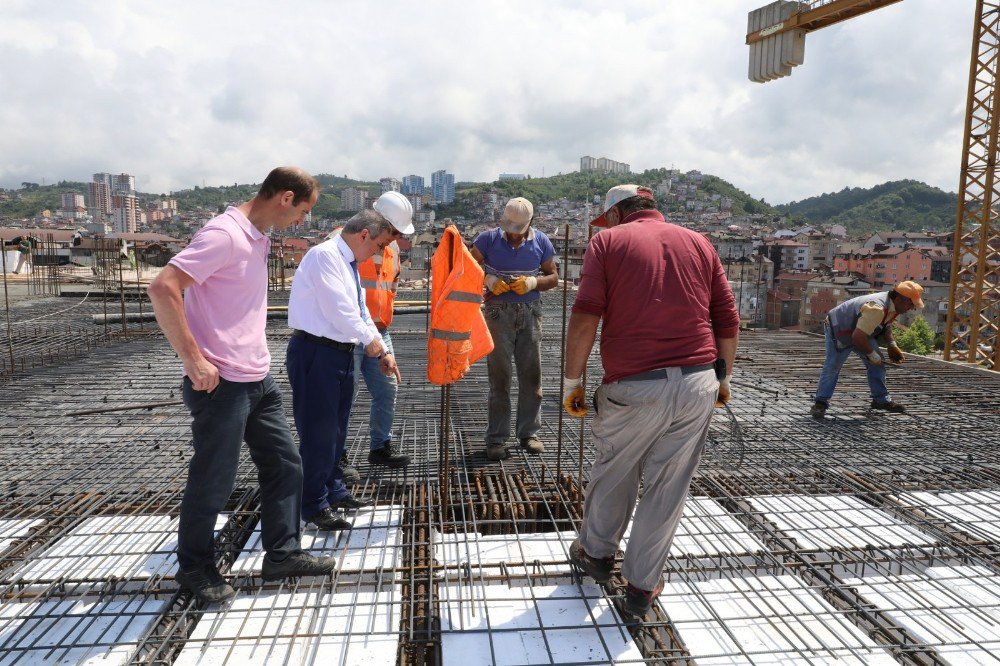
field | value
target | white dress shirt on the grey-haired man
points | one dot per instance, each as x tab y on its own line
324	298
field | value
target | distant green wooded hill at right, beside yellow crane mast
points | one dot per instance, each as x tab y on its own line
902	205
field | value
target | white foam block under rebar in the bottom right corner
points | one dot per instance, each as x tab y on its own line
954	609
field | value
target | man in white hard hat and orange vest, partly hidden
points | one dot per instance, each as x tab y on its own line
380	279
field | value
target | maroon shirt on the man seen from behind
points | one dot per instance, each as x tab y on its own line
661	292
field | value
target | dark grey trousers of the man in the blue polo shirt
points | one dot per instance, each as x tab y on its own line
517	332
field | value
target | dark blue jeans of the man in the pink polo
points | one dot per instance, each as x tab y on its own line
221	421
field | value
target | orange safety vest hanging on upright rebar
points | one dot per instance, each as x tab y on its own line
458	336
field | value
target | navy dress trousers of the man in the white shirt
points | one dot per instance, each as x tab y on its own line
322	380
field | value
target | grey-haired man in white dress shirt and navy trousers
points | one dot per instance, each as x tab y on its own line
329	318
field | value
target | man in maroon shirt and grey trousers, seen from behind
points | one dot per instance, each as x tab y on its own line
668	314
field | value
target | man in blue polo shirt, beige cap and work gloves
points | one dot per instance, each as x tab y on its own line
519	262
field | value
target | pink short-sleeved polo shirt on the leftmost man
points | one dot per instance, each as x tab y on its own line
226	308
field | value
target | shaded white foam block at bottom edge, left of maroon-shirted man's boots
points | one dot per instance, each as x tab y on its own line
497	624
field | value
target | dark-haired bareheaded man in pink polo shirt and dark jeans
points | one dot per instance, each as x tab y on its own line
211	303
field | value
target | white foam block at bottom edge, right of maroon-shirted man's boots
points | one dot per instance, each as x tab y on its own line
767	620
